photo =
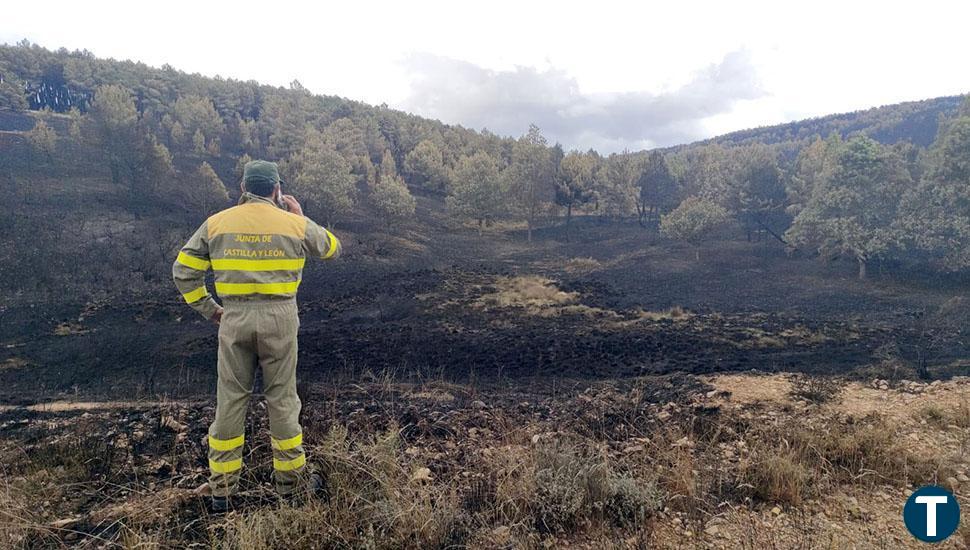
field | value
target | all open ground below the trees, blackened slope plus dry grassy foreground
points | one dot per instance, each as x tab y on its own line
601	391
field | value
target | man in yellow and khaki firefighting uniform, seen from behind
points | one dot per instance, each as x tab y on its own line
257	251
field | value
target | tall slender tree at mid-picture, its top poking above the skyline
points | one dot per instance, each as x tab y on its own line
531	176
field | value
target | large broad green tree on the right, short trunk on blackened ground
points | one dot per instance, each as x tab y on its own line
855	212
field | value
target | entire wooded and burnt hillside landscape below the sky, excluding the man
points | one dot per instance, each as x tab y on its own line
758	341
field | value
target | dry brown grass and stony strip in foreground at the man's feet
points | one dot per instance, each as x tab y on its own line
639	462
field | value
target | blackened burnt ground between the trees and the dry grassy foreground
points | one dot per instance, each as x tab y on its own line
421	311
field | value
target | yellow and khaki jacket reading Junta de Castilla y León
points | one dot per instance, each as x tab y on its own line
255	249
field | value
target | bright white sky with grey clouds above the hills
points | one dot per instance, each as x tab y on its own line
600	74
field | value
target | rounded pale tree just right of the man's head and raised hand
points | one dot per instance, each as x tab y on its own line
323	177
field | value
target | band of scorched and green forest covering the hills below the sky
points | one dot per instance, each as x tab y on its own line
889	185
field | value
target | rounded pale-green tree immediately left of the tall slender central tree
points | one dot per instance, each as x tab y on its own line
477	191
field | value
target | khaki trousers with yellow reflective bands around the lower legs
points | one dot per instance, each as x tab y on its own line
251	333
